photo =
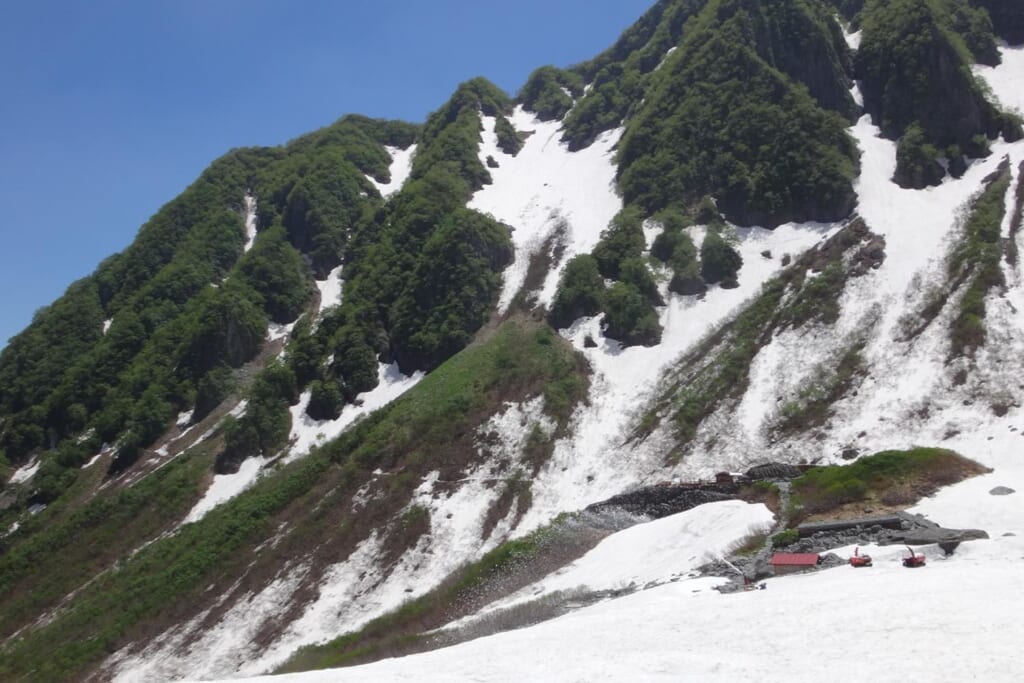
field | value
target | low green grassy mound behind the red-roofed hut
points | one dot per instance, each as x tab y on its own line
891	478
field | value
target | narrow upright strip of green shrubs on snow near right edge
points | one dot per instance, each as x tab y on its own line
977	260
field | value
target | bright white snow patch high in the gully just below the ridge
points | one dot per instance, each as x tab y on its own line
546	189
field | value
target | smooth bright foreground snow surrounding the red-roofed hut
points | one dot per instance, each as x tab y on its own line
957	619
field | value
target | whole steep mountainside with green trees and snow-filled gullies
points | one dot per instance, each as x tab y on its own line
211	430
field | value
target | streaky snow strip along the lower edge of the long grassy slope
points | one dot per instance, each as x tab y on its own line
358	590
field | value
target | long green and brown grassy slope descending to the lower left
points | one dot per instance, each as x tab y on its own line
432	428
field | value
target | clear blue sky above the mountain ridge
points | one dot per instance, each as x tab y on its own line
109	109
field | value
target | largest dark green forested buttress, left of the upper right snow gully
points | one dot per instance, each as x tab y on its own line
721	120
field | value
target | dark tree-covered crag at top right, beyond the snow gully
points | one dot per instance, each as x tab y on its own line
915	71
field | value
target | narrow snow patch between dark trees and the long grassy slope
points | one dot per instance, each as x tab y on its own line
308	433
